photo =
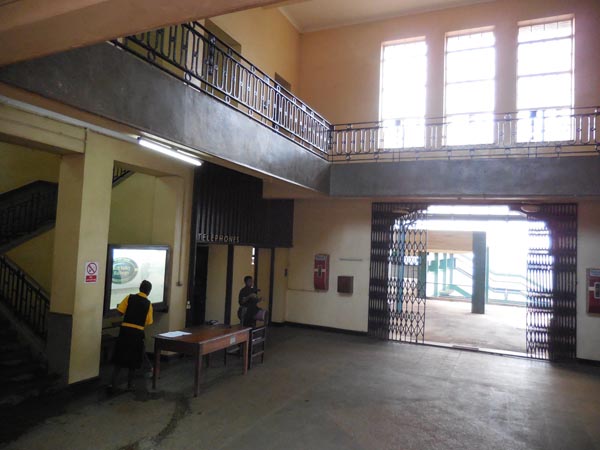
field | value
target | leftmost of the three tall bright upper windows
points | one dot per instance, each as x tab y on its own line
402	97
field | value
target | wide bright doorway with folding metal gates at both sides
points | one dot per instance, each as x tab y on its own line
509	286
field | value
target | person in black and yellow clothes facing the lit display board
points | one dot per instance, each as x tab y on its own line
130	348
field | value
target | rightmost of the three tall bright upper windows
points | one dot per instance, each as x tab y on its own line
545	81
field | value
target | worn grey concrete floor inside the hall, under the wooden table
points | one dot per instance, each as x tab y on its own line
320	390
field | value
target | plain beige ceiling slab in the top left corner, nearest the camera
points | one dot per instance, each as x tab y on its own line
33	28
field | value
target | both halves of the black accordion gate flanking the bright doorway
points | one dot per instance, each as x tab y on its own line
398	277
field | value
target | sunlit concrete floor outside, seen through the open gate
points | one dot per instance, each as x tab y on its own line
500	328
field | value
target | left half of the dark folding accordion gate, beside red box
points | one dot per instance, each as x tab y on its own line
398	271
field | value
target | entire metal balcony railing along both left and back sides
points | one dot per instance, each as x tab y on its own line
198	58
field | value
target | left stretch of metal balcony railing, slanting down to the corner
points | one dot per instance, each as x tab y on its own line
191	53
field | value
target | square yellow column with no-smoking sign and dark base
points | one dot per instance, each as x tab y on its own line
81	236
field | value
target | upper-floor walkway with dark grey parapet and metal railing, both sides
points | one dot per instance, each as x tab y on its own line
202	85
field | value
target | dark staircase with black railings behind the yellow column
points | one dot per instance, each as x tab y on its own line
25	213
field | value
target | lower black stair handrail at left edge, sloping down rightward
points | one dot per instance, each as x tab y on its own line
25	297
